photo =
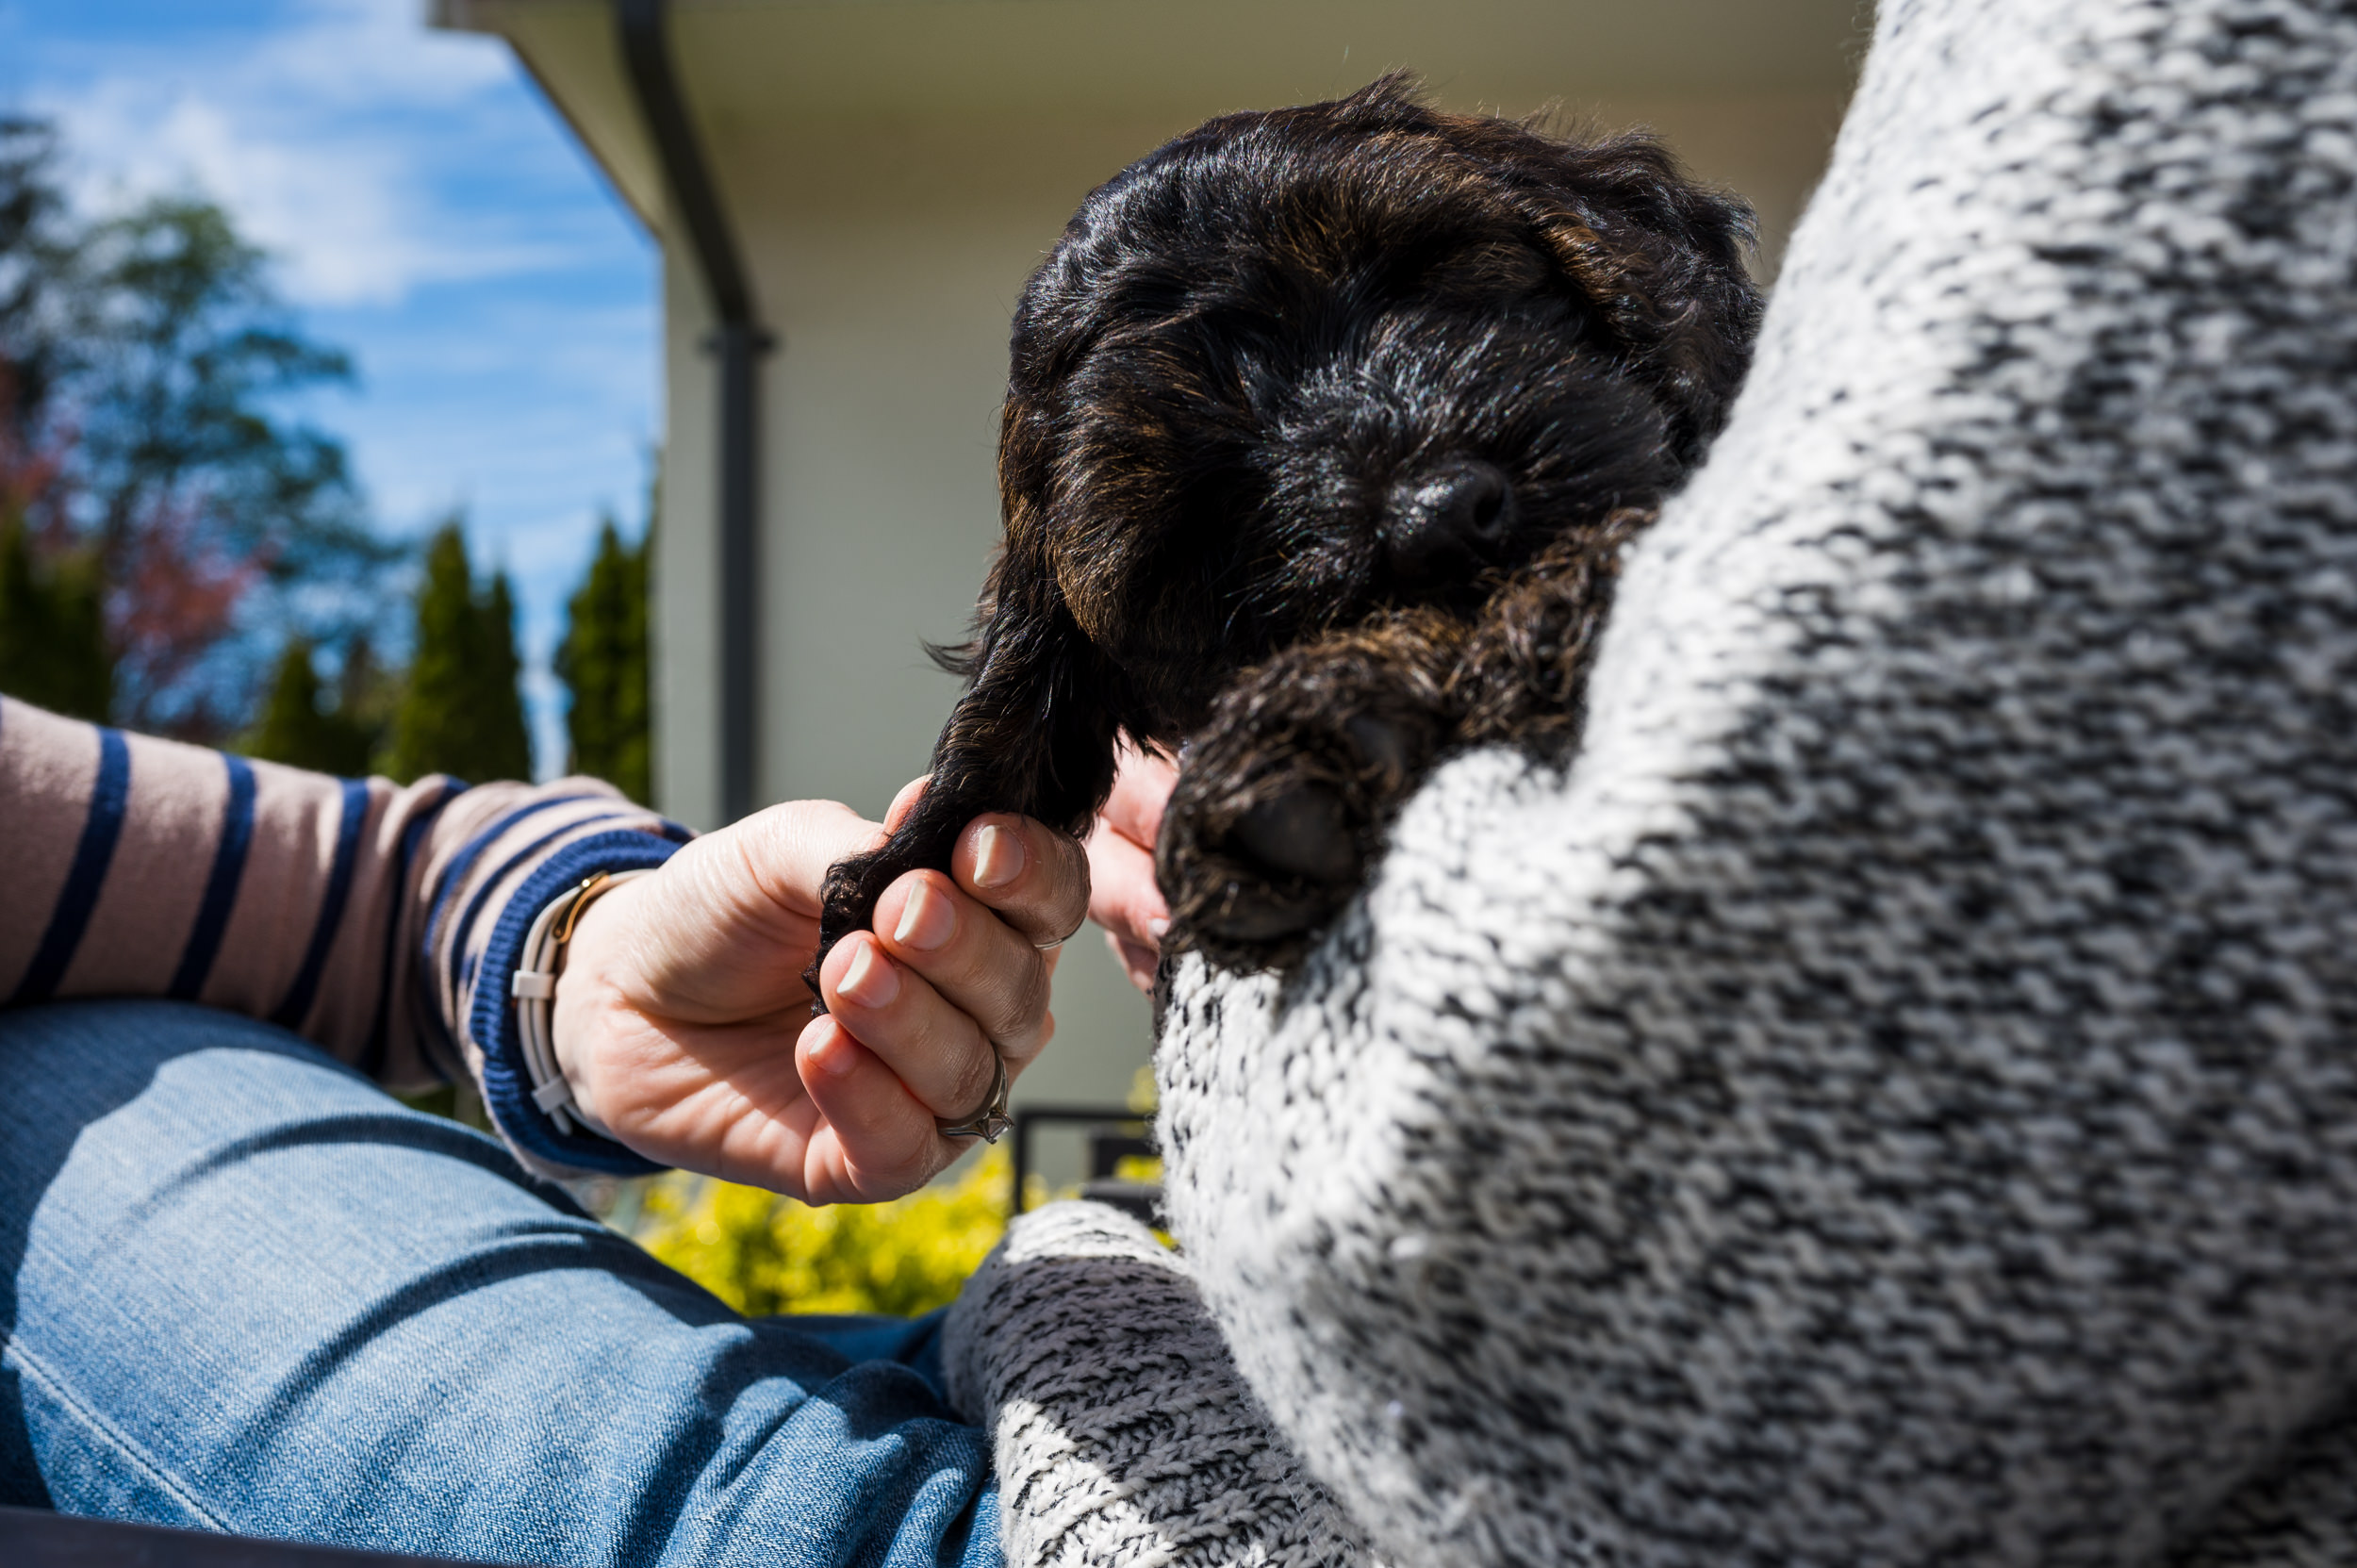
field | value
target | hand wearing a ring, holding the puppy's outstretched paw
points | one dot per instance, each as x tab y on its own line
685	1029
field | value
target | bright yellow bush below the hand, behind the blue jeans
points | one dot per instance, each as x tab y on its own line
767	1256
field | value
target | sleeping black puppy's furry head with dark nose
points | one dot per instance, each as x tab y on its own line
1312	362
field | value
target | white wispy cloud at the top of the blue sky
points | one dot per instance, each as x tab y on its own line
329	140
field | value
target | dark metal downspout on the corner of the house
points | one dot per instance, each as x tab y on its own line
694	202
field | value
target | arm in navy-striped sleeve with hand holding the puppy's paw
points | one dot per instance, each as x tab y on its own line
385	925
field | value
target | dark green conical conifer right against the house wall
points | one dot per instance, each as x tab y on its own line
602	661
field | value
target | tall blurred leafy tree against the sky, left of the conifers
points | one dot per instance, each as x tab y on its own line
223	520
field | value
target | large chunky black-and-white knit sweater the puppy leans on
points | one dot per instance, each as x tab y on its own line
1894	1100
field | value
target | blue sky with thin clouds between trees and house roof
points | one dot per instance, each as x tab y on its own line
430	216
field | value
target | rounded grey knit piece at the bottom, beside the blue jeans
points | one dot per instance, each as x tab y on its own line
1118	1423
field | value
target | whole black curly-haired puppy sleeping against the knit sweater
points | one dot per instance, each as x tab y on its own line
1321	440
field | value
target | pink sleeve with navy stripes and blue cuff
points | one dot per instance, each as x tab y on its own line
378	921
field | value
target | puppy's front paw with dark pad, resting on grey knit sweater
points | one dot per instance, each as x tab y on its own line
1286	796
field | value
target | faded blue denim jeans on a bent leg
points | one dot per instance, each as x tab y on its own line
246	1291
